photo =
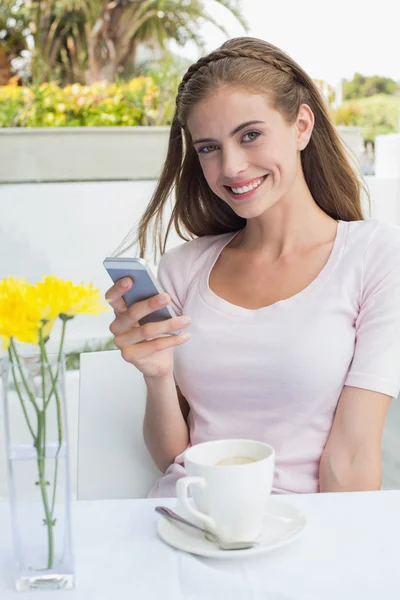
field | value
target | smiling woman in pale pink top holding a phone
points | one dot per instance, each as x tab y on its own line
294	300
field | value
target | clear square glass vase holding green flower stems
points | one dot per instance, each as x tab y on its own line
36	435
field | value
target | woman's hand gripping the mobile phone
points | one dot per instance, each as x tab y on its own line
149	347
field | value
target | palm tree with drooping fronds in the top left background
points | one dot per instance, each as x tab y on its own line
91	40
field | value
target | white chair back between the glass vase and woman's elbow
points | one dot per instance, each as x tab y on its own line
113	461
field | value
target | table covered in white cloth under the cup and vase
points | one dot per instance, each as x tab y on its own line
348	551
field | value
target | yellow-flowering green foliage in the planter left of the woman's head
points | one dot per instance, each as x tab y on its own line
140	101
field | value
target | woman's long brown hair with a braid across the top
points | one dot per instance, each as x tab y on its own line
263	68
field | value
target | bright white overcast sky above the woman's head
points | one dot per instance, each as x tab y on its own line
330	39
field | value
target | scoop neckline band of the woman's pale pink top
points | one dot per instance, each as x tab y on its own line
210	298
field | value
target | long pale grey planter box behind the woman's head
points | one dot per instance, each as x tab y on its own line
29	155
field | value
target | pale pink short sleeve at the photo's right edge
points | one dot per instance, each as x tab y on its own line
376	361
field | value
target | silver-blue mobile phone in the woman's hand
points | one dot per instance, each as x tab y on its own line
145	285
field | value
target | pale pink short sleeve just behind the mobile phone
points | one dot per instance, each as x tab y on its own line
172	273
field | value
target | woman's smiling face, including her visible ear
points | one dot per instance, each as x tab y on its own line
249	155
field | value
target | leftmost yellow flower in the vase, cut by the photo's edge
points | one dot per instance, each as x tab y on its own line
19	318
